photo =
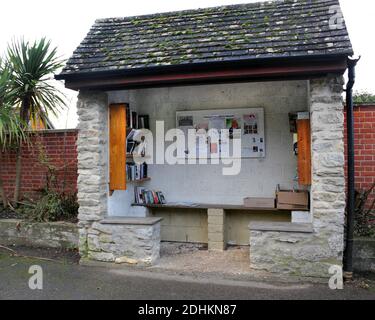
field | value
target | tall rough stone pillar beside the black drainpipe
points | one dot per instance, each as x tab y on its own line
328	161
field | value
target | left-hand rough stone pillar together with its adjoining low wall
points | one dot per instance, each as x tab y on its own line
135	241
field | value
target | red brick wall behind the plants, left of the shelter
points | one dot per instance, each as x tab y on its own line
60	148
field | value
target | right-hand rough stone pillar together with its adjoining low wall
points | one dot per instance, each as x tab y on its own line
312	254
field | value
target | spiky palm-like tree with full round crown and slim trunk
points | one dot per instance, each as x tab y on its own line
32	66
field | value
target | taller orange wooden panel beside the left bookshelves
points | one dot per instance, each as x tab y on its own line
117	147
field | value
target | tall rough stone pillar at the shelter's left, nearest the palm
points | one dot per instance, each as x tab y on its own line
92	147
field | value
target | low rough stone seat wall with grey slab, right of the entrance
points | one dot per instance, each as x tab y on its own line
288	248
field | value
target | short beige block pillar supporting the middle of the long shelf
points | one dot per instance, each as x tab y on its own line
216	229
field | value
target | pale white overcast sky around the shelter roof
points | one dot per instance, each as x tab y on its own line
67	23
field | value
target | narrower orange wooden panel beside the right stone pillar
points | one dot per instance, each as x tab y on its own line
304	152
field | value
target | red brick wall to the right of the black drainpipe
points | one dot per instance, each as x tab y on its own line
364	128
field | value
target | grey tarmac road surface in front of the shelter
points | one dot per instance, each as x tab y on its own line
65	279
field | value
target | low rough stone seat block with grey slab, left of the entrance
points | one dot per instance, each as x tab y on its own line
125	240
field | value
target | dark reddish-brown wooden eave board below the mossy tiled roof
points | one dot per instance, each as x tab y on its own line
251	73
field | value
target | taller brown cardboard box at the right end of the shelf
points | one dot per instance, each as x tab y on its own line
292	200
